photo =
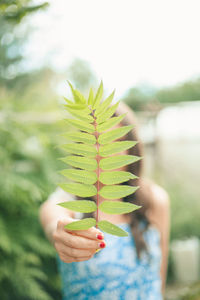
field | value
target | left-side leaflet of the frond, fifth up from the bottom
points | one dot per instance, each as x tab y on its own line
81	162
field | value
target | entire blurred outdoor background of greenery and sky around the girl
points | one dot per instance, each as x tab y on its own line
148	51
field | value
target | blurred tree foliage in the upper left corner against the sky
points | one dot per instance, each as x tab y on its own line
12	13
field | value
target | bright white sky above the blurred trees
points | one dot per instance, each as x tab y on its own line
125	42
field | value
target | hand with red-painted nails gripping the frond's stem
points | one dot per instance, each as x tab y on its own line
76	245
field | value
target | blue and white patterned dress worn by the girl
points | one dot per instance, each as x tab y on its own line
115	272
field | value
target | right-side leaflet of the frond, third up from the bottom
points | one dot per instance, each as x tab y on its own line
117	191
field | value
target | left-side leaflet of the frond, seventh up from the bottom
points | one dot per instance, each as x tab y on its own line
81	137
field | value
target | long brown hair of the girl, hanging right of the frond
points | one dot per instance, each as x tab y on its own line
143	196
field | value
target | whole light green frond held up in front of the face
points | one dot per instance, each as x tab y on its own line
94	118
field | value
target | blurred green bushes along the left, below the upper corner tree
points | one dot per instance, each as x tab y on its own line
28	167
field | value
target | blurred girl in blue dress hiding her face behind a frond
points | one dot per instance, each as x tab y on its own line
126	268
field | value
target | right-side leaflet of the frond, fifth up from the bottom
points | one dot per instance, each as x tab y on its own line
115	162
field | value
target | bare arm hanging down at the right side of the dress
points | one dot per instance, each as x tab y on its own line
160	216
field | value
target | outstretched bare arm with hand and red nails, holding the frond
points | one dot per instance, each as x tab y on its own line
72	246
